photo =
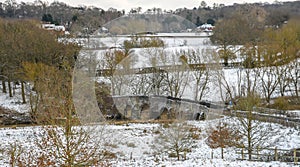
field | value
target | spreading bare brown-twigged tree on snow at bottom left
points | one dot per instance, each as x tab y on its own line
54	147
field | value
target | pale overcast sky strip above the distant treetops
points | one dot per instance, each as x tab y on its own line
147	4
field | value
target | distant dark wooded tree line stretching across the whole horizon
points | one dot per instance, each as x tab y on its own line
85	19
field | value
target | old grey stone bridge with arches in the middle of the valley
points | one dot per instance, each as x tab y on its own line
159	107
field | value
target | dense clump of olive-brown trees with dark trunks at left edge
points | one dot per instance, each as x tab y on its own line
25	41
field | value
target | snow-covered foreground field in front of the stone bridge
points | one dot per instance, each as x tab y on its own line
133	145
